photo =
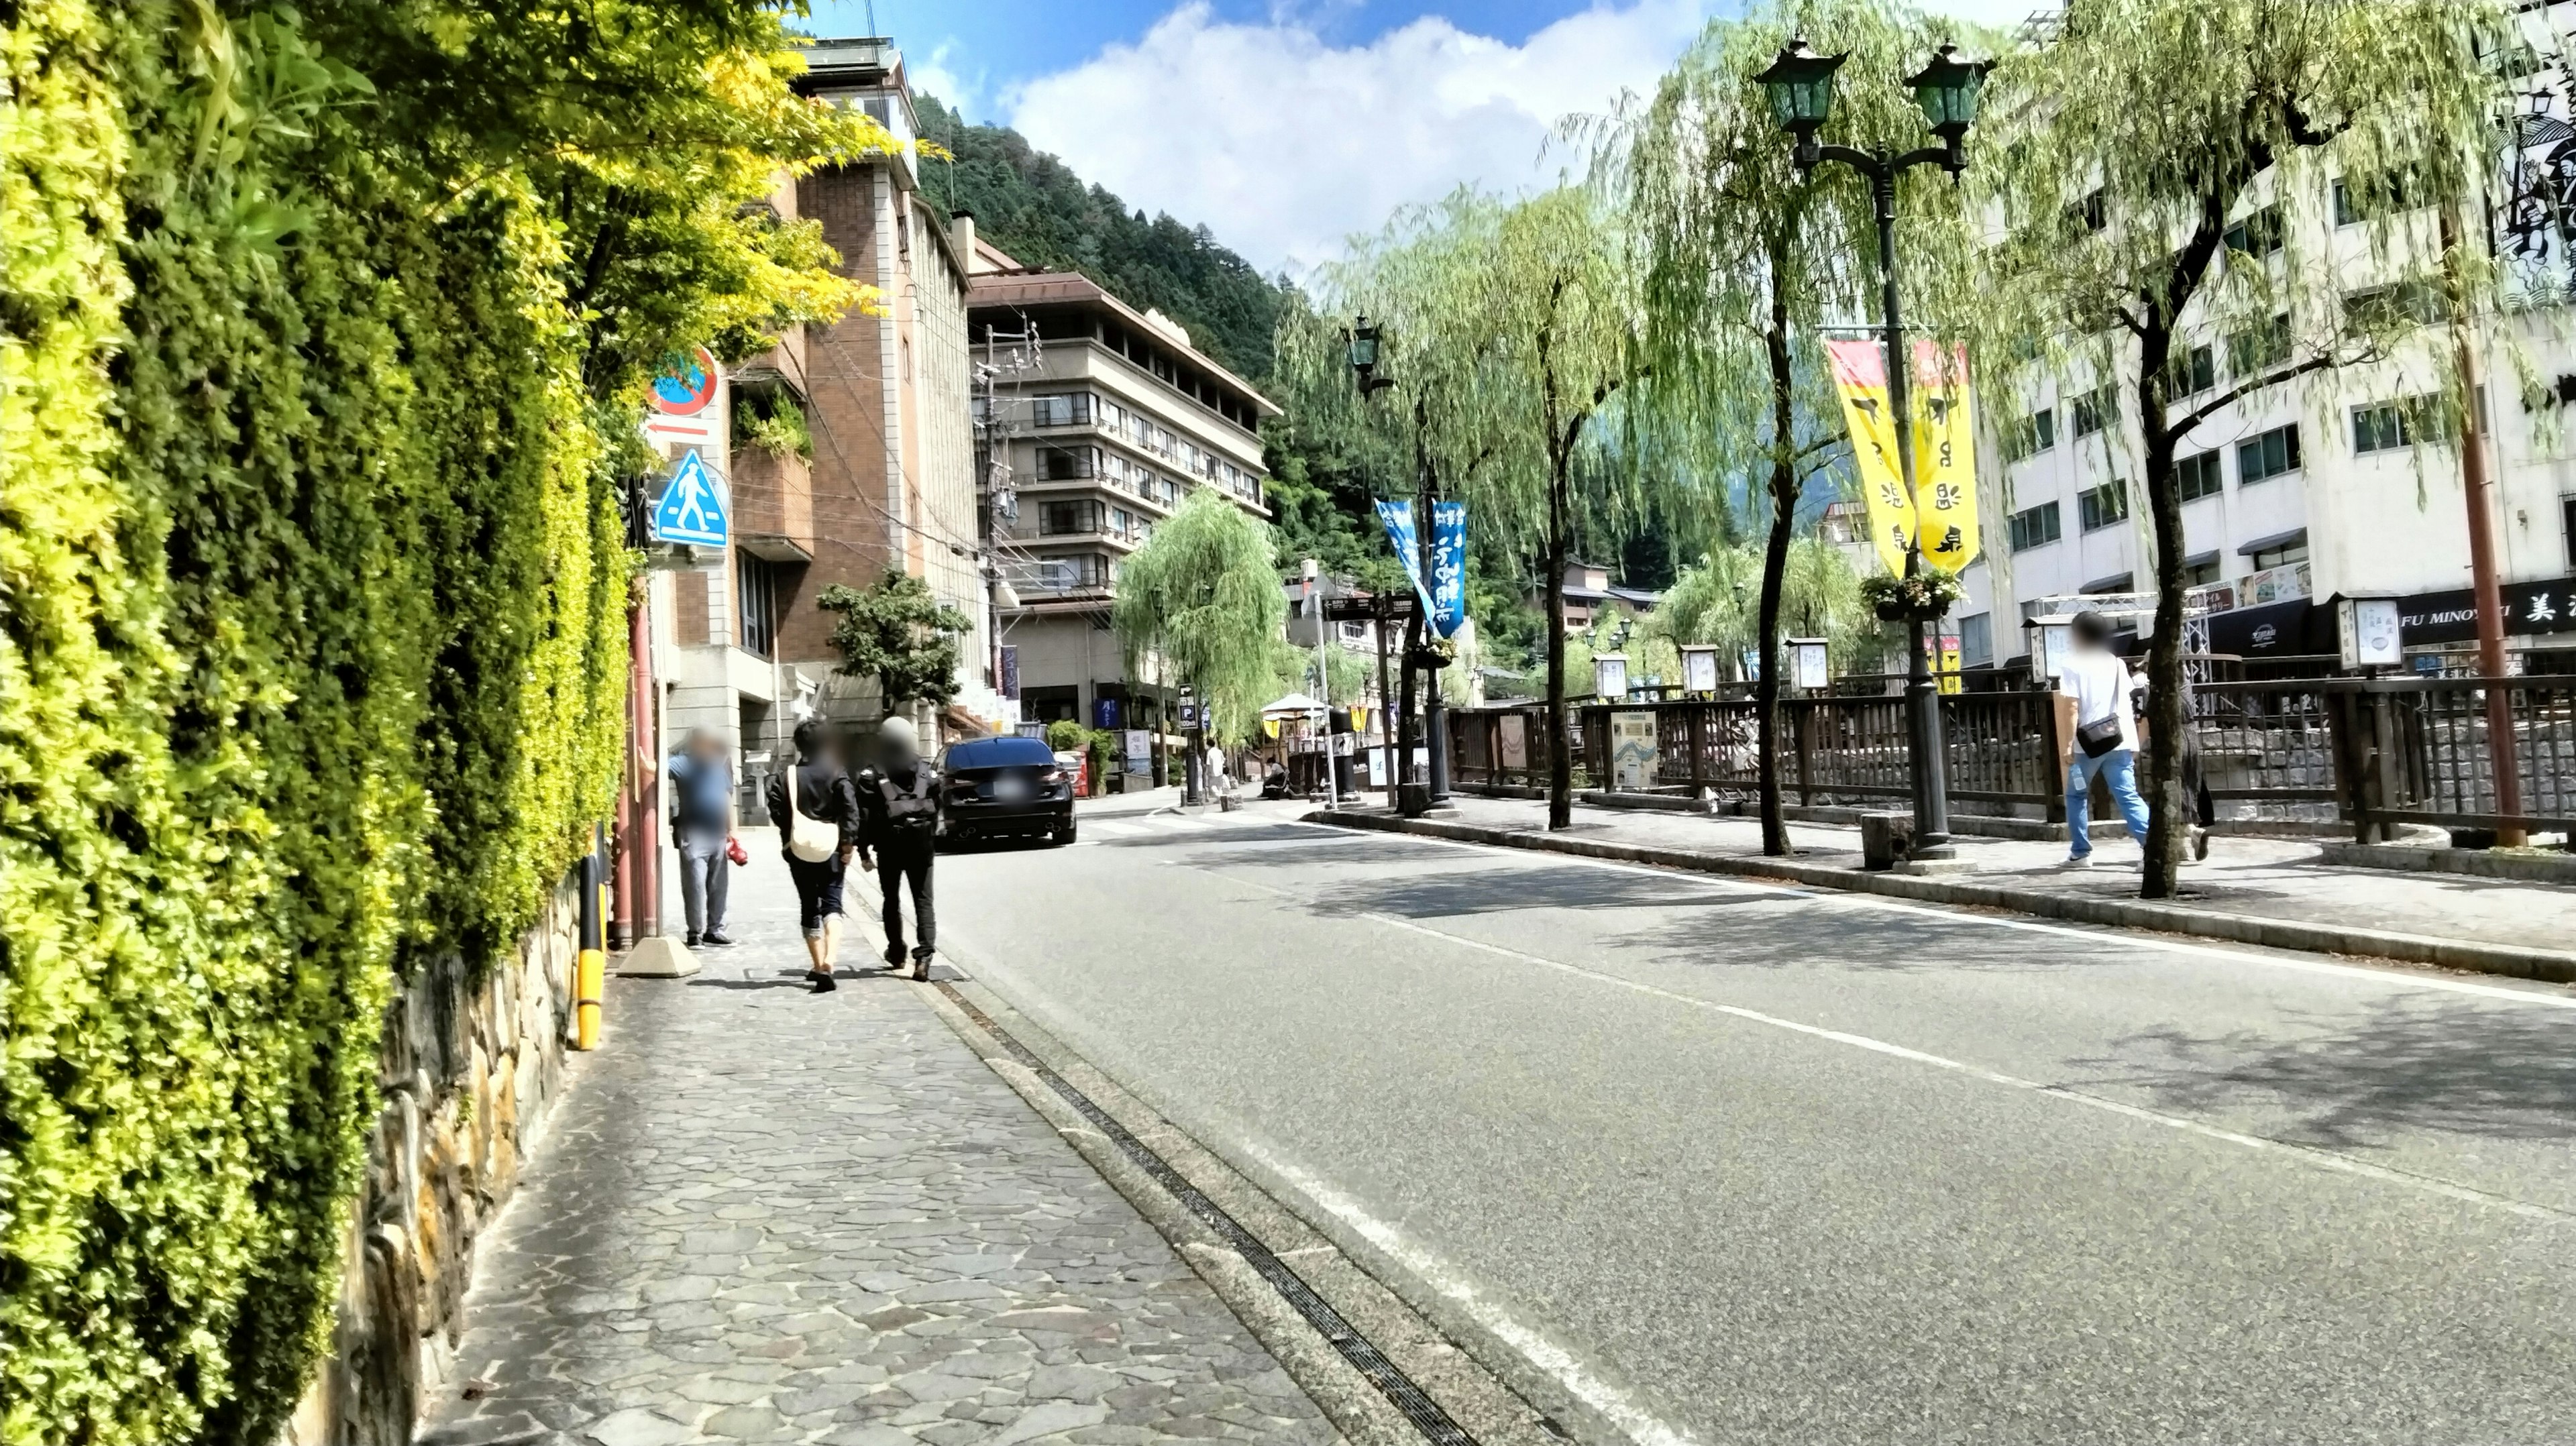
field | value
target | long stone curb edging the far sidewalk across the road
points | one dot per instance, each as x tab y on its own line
2546	965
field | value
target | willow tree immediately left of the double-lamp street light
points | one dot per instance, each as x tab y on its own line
1748	256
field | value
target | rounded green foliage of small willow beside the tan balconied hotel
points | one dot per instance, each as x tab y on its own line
1204	599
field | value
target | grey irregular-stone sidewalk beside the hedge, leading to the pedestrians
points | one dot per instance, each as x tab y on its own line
784	1218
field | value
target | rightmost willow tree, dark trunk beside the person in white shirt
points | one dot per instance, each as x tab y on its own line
2160	171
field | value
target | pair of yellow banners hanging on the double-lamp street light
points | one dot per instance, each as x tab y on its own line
1944	452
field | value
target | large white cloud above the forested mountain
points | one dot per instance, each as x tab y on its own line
1284	146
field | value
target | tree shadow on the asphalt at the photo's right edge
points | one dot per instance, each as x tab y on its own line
2446	1066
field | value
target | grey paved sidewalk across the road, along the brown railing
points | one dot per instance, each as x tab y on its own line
2255	878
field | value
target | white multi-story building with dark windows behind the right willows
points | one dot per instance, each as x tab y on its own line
2302	494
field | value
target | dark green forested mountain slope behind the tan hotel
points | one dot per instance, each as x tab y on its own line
1034	207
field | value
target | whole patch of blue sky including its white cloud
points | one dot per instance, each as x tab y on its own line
1292	125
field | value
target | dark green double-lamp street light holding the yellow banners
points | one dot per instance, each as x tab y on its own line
1802	97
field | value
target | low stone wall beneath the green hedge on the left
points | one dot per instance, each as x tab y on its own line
468	1074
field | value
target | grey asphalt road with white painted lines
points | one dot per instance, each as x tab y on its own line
1745	1164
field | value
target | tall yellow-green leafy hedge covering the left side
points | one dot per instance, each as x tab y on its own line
310	669
